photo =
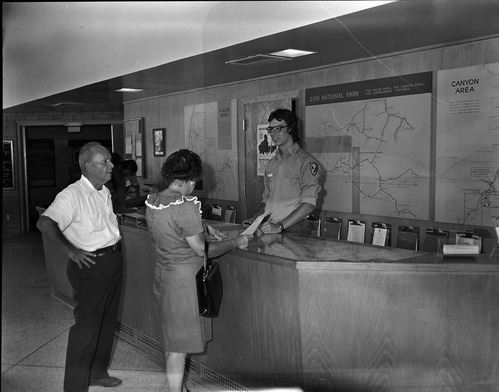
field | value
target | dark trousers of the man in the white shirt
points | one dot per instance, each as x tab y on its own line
97	292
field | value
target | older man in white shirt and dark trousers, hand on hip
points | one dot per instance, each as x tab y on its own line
82	223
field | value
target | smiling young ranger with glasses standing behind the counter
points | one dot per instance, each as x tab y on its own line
291	179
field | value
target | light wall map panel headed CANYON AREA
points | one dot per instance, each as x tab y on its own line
467	146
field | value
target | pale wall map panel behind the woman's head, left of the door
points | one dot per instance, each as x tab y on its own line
210	130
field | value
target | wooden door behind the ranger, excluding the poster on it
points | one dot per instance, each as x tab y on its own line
256	112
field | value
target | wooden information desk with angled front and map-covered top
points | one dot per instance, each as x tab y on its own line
330	315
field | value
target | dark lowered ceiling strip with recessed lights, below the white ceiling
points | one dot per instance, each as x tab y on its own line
396	27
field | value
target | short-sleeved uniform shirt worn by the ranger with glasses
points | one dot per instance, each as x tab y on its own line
290	180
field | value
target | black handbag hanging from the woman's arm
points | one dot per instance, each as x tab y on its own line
209	286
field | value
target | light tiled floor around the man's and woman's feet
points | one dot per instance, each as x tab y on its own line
35	330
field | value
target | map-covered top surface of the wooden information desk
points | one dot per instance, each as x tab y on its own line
310	252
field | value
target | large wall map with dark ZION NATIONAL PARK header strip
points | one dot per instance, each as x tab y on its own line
372	138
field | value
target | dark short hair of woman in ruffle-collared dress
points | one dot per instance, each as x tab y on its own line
182	165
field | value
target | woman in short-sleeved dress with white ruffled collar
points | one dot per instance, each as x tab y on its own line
174	220
